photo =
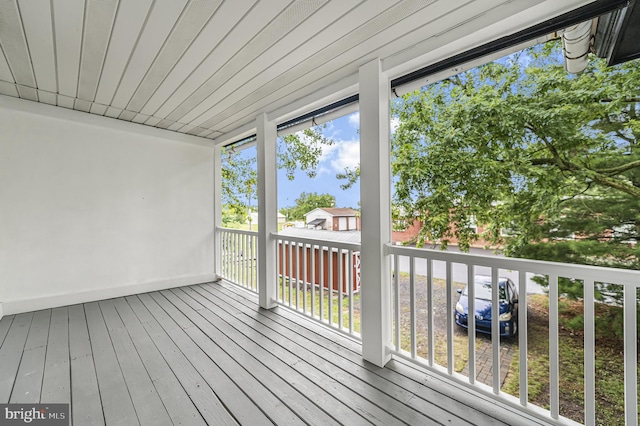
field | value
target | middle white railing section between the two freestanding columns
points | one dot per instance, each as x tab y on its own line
320	279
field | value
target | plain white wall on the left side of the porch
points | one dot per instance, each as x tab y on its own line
92	207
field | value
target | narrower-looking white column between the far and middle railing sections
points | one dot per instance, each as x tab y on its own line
267	210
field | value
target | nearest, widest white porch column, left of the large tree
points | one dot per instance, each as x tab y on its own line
375	198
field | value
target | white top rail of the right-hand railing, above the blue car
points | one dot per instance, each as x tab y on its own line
568	270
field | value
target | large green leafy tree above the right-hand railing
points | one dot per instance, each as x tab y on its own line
521	146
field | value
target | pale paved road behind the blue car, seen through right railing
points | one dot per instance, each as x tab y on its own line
460	271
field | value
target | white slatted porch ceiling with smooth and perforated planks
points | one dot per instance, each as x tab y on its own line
208	67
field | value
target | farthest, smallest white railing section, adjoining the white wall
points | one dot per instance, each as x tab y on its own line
239	255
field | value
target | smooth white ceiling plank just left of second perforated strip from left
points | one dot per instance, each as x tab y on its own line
68	24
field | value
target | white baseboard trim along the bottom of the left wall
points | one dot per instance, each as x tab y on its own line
53	301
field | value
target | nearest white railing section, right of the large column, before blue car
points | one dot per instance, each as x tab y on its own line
521	271
